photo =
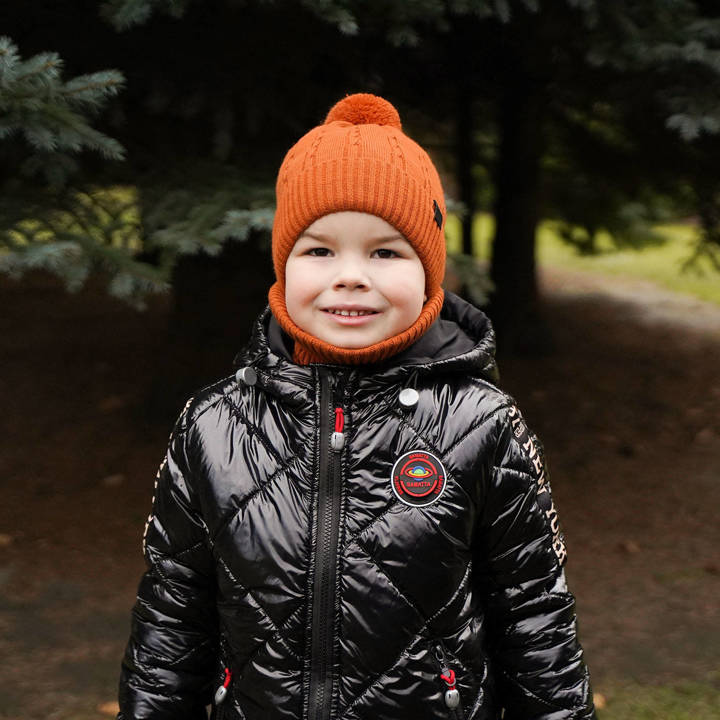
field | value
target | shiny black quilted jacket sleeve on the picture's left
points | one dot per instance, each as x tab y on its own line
170	661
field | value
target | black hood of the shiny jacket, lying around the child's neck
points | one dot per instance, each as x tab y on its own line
461	340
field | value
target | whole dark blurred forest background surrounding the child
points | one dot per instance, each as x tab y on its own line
579	143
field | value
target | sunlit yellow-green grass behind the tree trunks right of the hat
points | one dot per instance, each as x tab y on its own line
661	264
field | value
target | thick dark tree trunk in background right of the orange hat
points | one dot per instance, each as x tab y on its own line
514	302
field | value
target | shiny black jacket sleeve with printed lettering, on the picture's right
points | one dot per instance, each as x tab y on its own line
520	553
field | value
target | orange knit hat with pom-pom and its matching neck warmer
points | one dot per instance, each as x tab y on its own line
359	159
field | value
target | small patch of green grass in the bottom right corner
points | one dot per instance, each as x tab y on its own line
682	701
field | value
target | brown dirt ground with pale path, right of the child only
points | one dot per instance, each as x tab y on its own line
630	413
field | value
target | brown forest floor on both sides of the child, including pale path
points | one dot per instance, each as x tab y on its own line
627	405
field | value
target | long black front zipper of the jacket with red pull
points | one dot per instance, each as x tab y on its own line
328	525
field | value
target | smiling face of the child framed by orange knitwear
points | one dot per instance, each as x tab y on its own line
358	264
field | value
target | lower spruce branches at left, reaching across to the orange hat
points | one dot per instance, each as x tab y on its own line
103	230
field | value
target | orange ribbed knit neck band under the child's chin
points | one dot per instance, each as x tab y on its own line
309	349
